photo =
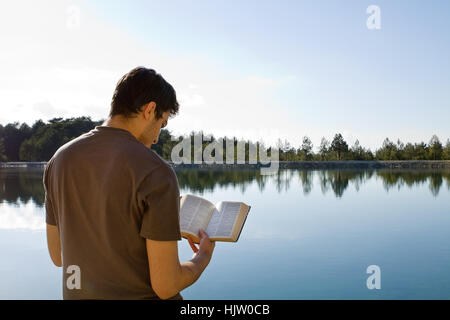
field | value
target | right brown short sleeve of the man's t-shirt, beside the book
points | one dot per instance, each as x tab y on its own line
159	202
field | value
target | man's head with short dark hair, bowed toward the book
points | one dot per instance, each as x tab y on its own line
143	101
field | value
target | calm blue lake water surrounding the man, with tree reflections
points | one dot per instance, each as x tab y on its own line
309	235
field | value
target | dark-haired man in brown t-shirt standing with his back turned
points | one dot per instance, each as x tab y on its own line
112	204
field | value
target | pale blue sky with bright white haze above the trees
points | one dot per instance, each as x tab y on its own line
258	70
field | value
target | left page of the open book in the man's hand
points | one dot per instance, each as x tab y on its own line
195	213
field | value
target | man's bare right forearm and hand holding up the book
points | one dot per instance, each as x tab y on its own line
167	275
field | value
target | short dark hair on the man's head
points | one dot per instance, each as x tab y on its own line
141	86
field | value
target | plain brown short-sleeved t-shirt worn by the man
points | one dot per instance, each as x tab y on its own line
107	192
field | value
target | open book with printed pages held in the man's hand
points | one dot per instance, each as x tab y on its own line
222	222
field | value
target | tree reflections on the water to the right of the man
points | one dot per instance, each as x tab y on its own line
199	181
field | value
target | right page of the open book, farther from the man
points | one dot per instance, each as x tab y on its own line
223	220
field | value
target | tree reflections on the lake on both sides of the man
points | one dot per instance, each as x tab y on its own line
22	185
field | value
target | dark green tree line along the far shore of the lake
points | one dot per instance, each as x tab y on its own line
21	142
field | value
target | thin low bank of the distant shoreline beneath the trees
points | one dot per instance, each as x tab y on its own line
353	164
